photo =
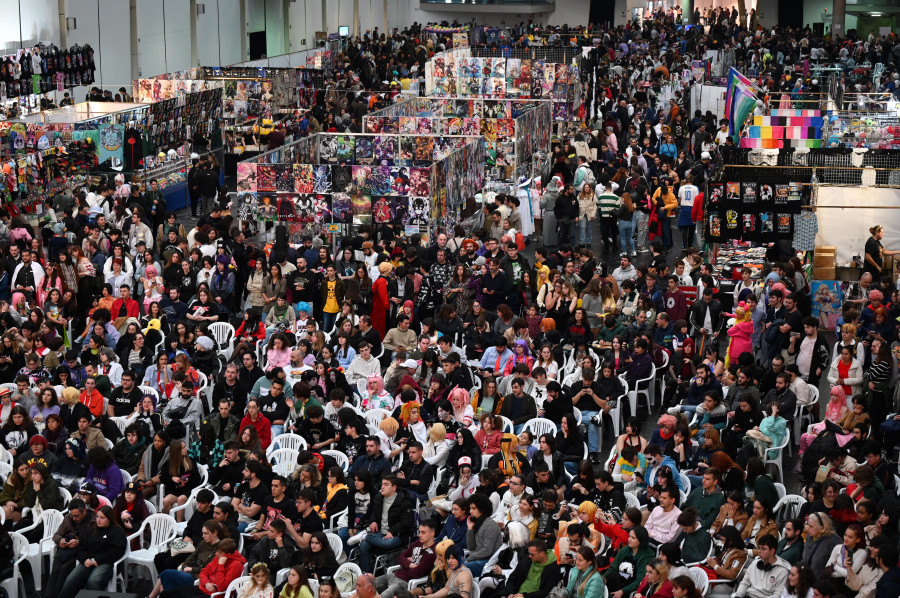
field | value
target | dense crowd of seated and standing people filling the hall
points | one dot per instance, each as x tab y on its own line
453	397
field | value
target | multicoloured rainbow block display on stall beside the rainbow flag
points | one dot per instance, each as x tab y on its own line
785	128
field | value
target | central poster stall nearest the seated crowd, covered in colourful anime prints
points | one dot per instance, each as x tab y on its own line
332	183
